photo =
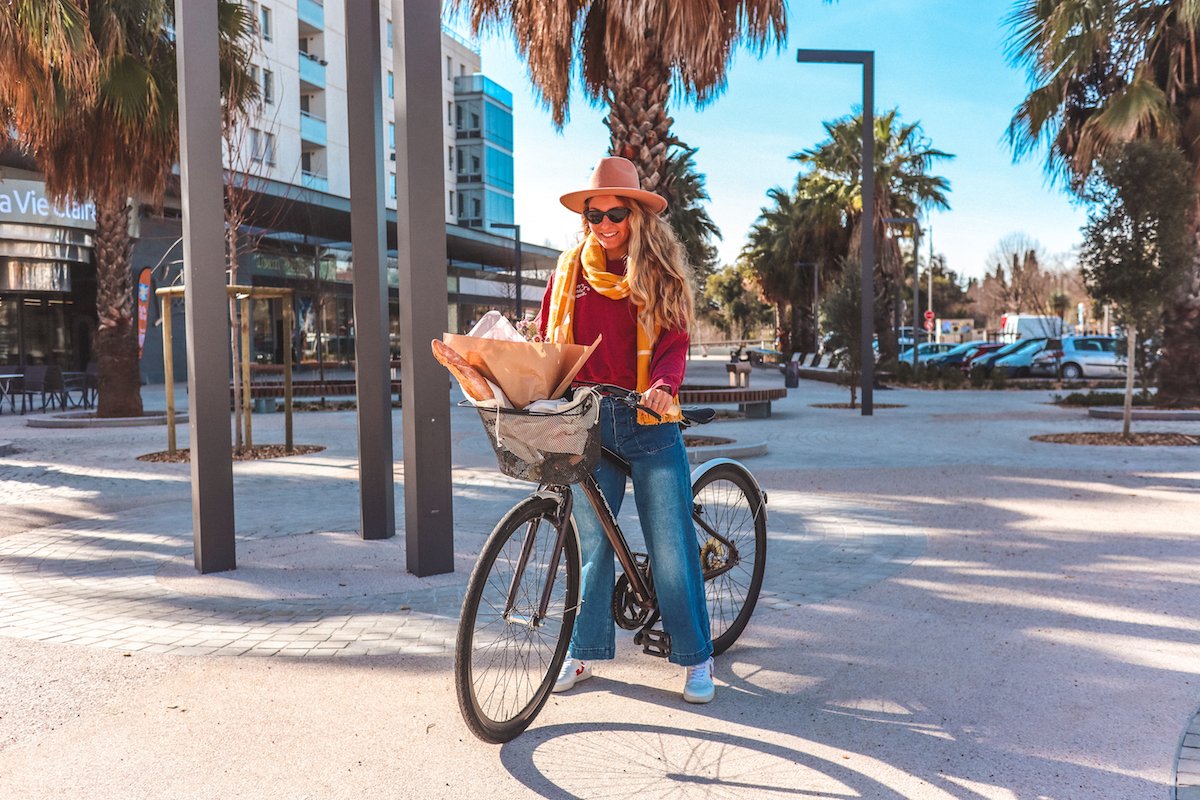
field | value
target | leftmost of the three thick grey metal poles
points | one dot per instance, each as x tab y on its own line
206	300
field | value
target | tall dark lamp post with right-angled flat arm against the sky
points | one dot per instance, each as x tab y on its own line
867	61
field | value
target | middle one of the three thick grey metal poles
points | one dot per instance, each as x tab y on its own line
373	375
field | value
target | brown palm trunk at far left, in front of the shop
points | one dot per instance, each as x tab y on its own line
117	347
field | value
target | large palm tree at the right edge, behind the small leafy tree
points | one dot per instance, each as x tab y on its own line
1105	73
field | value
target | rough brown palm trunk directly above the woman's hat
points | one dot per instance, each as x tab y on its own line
639	125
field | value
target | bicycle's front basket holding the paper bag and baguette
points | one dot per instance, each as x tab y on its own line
560	448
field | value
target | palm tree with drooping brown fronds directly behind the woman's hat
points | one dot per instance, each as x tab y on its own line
632	55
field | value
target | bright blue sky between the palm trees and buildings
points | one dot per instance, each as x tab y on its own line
941	62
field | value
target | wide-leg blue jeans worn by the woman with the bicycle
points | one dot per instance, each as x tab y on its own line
663	494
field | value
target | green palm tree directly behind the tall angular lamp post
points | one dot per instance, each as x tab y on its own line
904	187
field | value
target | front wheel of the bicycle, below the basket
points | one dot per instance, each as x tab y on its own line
505	667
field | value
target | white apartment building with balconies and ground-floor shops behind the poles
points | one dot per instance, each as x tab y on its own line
293	157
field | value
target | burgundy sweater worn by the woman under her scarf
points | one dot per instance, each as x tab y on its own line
616	360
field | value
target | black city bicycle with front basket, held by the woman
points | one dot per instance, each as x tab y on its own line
524	593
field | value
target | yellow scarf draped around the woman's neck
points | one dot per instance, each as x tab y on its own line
592	260
